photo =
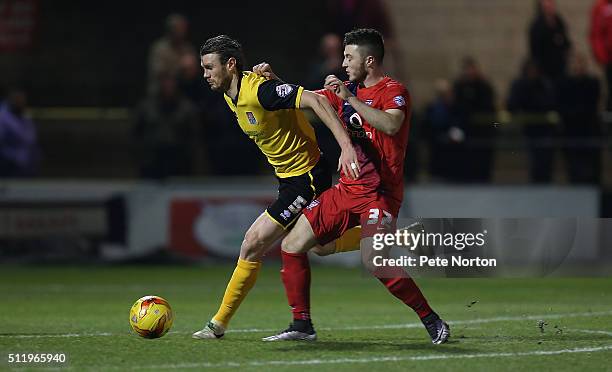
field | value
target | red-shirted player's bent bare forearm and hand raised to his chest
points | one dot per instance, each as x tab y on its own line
389	121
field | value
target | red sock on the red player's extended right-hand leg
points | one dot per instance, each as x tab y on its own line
406	290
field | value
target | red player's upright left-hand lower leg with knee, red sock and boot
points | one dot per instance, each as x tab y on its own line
296	279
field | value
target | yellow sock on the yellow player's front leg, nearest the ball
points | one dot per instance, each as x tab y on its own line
243	279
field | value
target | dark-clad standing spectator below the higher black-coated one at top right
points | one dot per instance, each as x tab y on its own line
531	100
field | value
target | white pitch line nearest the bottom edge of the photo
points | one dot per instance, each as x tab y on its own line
379	359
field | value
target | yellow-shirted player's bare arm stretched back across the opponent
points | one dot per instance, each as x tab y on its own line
321	106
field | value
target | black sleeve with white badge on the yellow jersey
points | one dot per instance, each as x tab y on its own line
275	95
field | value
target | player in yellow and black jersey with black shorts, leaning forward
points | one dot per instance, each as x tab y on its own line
268	111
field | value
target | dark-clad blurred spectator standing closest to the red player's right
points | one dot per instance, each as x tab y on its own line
446	140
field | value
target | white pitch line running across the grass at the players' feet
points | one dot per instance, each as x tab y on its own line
351	328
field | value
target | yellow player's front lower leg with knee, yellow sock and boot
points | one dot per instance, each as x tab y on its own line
260	237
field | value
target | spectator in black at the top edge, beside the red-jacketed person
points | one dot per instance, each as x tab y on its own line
549	43
